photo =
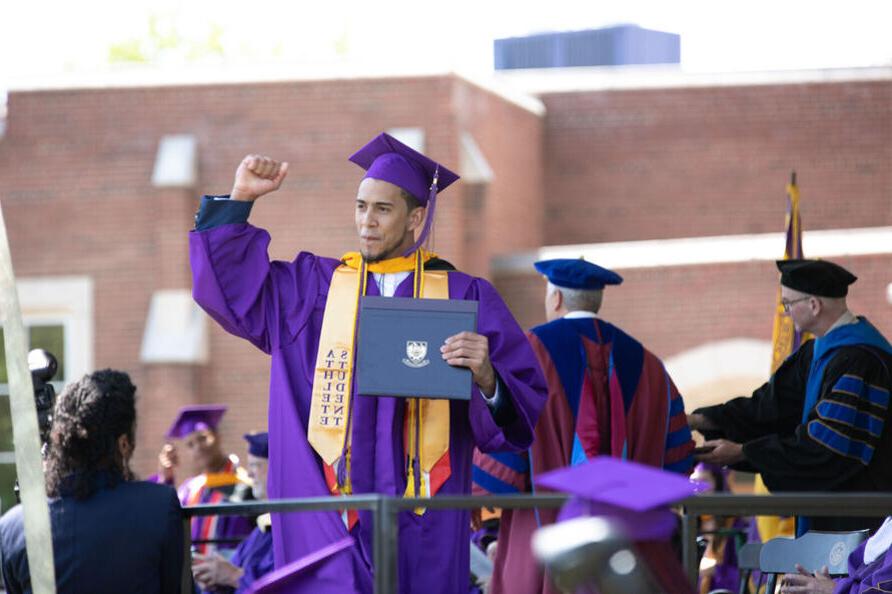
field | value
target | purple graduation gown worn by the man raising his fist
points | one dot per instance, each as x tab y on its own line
279	307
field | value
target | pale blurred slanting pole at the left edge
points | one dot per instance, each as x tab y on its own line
26	437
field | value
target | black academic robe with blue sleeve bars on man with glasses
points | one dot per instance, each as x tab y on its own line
829	452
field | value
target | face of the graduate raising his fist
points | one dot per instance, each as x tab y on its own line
385	226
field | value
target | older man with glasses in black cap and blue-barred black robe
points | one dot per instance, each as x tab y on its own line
821	422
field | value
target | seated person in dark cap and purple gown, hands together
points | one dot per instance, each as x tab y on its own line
254	556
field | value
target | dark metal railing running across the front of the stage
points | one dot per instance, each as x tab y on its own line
386	508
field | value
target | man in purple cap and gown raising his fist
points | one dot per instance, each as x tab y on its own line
325	438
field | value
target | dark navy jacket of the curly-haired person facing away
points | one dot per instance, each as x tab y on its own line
125	539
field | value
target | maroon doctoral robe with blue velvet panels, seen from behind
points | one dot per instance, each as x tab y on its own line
588	364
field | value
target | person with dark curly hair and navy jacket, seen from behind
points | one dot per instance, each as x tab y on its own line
111	533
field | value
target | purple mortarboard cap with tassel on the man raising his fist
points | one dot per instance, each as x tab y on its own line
387	159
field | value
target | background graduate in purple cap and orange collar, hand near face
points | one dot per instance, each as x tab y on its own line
219	476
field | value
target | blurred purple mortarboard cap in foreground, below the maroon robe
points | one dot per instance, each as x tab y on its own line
632	493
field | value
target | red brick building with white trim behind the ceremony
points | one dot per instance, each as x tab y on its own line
98	188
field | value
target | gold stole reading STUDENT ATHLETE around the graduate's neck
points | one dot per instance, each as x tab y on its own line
329	427
